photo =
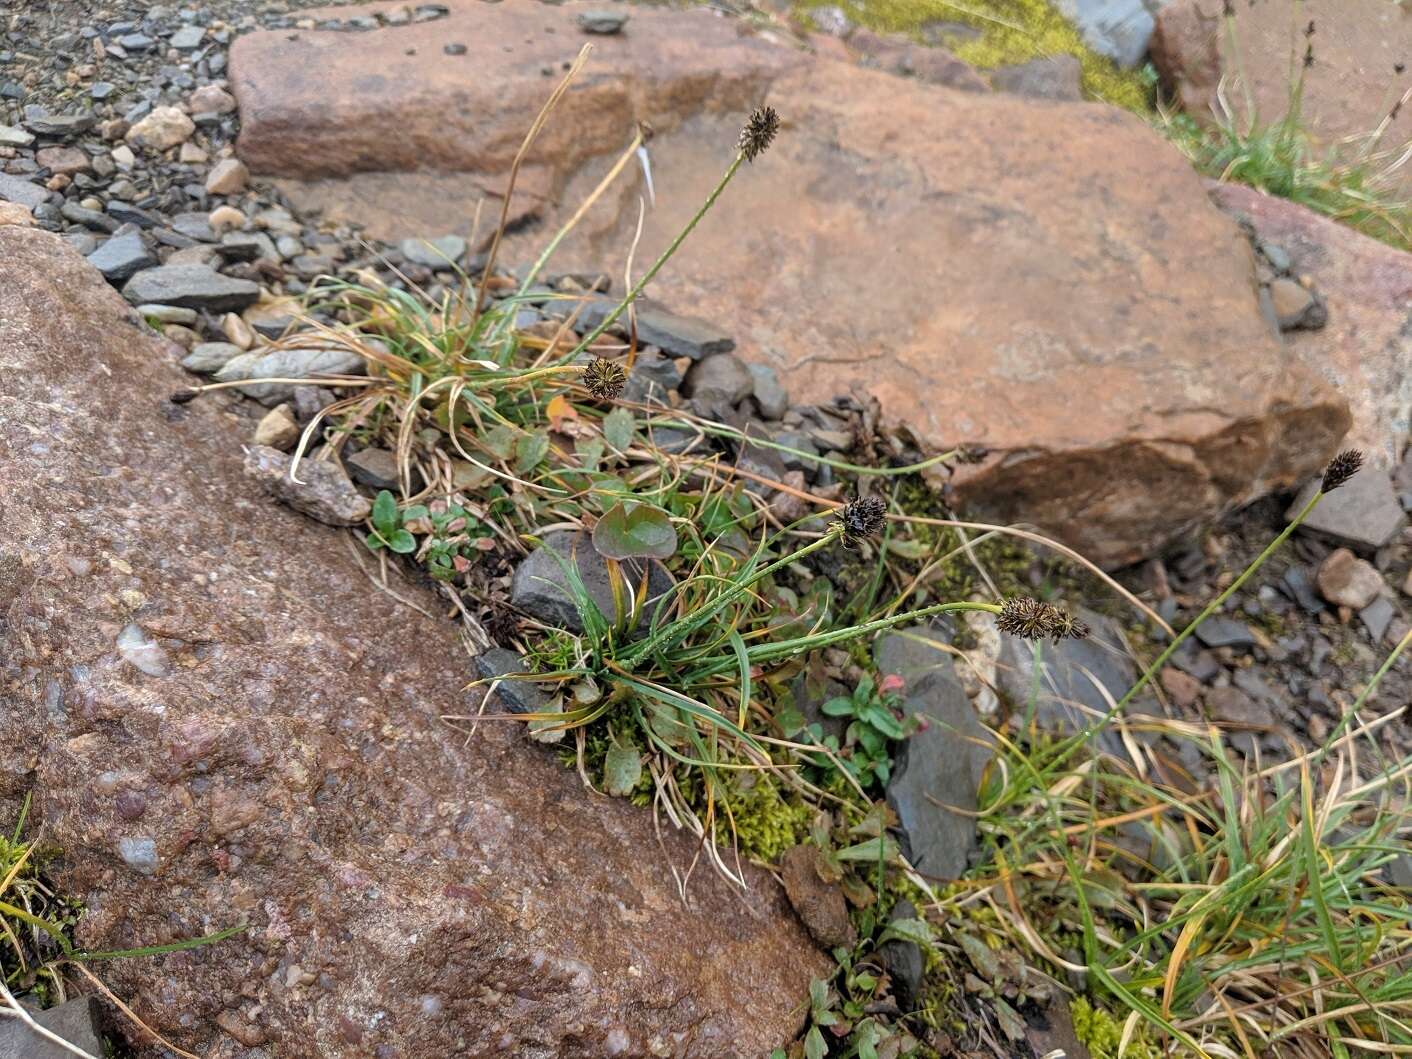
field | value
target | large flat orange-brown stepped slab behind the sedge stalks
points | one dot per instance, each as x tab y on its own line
896	239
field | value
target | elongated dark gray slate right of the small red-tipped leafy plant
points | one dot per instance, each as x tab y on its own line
938	770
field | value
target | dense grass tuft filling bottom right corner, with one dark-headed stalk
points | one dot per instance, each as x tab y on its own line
1248	919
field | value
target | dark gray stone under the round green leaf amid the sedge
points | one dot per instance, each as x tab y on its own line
540	587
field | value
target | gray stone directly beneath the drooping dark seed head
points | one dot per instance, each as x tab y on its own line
1068	700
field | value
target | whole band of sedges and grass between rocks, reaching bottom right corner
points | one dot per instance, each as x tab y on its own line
1262	920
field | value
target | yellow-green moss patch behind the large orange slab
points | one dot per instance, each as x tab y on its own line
1012	32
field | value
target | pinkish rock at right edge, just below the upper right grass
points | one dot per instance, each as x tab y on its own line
1366	347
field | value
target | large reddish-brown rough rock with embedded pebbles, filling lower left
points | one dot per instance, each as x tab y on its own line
268	749
